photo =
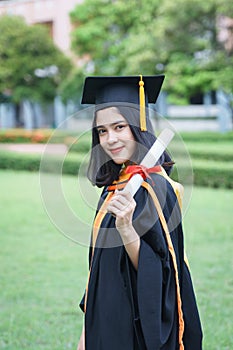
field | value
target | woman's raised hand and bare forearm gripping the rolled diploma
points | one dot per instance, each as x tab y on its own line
122	206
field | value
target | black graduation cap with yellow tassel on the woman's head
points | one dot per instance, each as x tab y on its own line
139	90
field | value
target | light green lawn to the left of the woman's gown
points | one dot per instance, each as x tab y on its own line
43	274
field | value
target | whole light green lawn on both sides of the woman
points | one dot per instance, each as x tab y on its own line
43	274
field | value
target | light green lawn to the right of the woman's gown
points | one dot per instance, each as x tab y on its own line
208	231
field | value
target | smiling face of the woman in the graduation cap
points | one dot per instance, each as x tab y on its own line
115	135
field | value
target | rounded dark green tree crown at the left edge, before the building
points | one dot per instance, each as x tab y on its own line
23	49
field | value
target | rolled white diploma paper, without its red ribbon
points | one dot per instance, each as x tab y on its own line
150	159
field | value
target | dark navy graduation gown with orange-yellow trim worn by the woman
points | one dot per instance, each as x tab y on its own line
154	307
